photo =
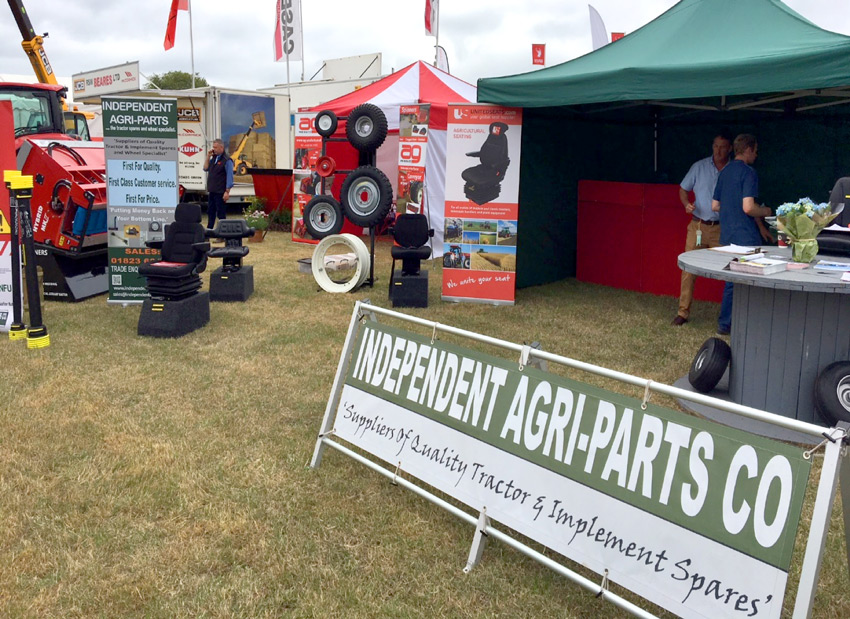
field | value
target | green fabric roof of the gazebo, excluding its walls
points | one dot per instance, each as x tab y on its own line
697	49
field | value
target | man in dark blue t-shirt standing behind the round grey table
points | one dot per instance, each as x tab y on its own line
735	199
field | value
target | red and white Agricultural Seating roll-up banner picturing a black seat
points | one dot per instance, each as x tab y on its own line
482	203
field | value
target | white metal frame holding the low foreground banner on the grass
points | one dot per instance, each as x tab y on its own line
835	443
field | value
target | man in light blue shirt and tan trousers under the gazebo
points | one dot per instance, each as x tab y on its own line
704	227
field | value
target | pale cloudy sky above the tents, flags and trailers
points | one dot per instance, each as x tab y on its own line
233	39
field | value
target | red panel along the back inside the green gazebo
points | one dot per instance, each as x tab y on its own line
629	236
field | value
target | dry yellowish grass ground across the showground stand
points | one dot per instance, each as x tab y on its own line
167	478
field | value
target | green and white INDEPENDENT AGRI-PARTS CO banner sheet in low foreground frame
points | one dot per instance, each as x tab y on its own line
696	517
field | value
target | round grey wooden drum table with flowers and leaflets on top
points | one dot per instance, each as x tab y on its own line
786	328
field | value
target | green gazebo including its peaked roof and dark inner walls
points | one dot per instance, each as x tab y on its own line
643	108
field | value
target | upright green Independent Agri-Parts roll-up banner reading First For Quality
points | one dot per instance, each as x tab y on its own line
140	141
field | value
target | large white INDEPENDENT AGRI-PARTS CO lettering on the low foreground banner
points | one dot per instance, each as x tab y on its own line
639	454
